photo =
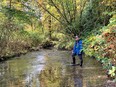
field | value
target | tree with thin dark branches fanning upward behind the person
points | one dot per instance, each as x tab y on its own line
66	12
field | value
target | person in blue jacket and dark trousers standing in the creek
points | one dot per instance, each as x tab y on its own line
77	50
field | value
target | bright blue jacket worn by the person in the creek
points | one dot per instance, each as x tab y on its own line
77	49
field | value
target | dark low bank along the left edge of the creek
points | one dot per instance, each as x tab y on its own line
44	45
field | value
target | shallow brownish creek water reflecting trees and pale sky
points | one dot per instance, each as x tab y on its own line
50	68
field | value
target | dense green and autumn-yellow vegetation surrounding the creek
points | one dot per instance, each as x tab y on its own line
28	24
